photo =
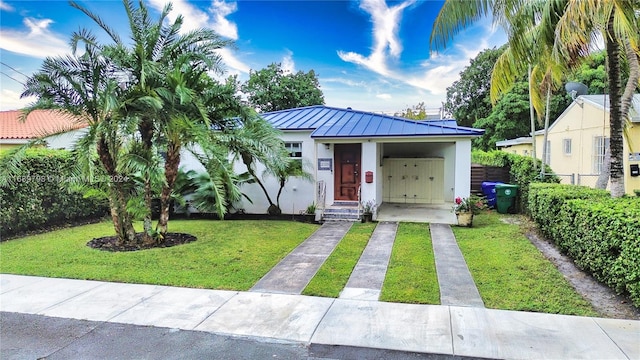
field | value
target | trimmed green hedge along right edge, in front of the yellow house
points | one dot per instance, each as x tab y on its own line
601	234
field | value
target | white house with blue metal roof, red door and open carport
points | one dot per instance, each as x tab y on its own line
362	156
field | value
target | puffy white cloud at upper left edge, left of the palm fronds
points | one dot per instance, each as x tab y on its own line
37	41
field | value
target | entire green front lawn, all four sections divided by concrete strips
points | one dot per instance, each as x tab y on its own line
509	271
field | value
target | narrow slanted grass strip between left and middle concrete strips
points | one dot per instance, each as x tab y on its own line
334	274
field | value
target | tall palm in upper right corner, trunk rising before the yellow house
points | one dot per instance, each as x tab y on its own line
570	26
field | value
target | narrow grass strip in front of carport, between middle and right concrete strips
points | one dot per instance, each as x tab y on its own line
411	276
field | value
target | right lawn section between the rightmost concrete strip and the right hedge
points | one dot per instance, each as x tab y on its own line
511	273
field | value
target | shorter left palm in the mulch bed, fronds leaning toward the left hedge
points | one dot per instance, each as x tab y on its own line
85	87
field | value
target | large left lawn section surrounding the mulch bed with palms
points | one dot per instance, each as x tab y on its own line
227	255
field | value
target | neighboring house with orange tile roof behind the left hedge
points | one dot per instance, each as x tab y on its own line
39	123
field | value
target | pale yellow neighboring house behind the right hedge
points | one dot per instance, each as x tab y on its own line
578	139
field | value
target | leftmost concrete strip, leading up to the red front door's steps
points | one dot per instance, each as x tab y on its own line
294	272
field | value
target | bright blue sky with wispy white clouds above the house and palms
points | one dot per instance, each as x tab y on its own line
370	55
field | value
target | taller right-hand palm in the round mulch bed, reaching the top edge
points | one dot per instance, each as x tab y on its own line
165	71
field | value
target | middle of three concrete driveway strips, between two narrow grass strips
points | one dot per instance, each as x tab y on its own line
365	282
